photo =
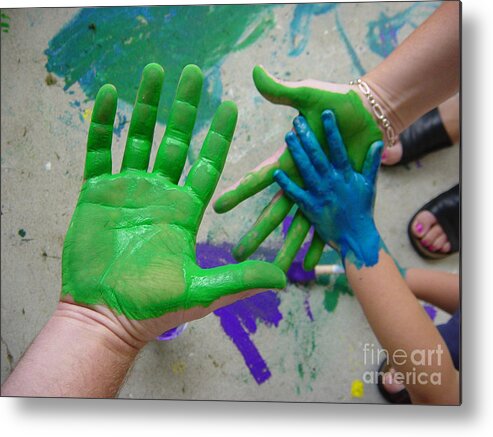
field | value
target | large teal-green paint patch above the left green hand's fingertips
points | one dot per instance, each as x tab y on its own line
112	45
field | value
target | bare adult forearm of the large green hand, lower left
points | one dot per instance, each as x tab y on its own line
75	355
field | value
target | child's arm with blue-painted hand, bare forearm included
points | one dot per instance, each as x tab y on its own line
339	202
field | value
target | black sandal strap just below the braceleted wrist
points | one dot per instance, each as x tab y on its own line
425	135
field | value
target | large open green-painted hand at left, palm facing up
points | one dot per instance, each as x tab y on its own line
130	246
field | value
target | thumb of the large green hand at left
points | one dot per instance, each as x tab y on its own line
217	282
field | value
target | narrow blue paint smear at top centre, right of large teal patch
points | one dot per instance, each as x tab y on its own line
300	24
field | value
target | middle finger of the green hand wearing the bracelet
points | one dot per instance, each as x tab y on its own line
270	218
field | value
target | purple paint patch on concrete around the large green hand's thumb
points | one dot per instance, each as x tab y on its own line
239	320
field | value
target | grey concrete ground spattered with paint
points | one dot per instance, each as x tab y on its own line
310	347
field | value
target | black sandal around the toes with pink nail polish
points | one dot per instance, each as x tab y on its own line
446	209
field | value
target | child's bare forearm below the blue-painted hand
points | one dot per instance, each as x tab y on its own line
403	327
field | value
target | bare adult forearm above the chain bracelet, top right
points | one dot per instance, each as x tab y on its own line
423	71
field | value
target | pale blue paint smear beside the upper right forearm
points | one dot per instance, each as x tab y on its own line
383	33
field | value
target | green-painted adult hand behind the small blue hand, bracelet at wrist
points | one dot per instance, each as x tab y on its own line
358	129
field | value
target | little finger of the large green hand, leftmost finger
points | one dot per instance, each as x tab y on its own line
98	156
